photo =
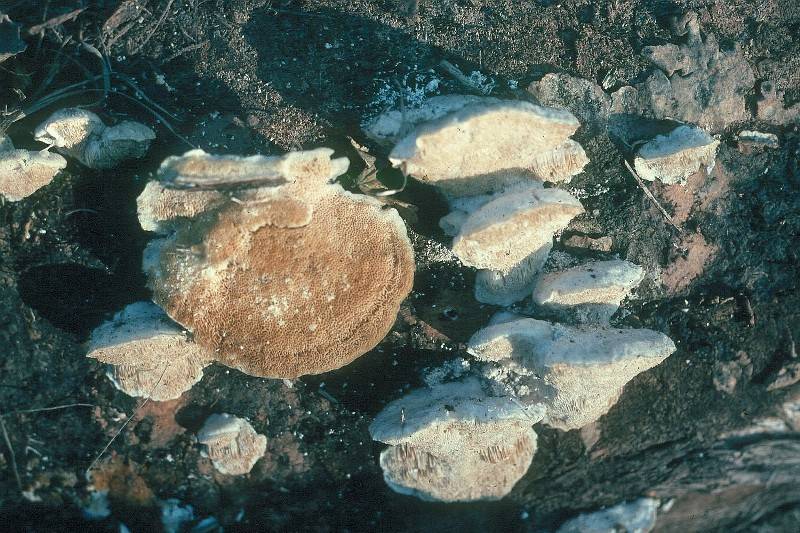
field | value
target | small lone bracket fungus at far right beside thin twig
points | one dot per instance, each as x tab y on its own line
674	157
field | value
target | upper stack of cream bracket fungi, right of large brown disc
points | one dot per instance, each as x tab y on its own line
489	158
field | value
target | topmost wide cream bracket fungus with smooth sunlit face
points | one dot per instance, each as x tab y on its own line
485	146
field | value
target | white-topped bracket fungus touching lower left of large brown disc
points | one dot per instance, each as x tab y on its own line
148	354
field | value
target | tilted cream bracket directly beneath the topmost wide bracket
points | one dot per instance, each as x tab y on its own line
502	233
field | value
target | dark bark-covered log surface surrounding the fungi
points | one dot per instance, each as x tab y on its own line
249	76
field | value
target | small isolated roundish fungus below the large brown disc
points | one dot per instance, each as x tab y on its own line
231	443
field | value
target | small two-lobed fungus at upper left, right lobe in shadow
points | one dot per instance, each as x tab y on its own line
82	135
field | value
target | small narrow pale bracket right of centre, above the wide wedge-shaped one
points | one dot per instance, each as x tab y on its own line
594	290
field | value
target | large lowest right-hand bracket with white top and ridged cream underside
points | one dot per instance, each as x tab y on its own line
454	442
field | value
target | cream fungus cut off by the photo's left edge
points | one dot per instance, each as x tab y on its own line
23	172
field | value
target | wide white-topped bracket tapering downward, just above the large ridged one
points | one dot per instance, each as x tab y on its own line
581	371
